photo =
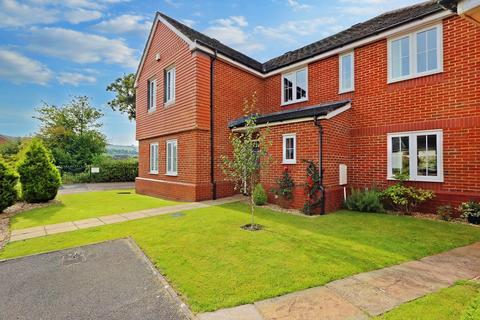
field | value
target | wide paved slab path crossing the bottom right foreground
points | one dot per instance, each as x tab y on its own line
364	295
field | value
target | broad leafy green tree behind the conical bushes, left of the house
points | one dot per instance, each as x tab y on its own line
72	132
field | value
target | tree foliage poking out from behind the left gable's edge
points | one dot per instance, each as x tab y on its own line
125	95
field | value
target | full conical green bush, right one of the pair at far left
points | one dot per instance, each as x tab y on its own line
39	177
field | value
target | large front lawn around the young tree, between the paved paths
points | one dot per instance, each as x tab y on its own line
214	264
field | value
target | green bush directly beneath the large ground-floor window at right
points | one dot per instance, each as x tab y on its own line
403	198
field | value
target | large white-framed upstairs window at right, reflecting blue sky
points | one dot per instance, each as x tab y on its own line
415	54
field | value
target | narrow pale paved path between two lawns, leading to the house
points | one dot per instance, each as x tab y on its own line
34	232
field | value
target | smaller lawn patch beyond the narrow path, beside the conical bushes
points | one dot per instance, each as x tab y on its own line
86	205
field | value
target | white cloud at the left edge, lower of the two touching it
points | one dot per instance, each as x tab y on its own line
18	68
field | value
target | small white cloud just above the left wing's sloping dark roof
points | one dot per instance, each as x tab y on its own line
231	31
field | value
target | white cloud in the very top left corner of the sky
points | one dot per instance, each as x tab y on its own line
14	14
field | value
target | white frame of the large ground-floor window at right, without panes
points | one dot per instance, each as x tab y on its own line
412	141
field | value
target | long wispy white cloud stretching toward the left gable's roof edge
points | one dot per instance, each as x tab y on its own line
81	47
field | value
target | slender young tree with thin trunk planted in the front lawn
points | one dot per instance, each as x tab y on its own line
250	155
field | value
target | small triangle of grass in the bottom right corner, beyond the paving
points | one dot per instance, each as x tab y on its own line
452	303
